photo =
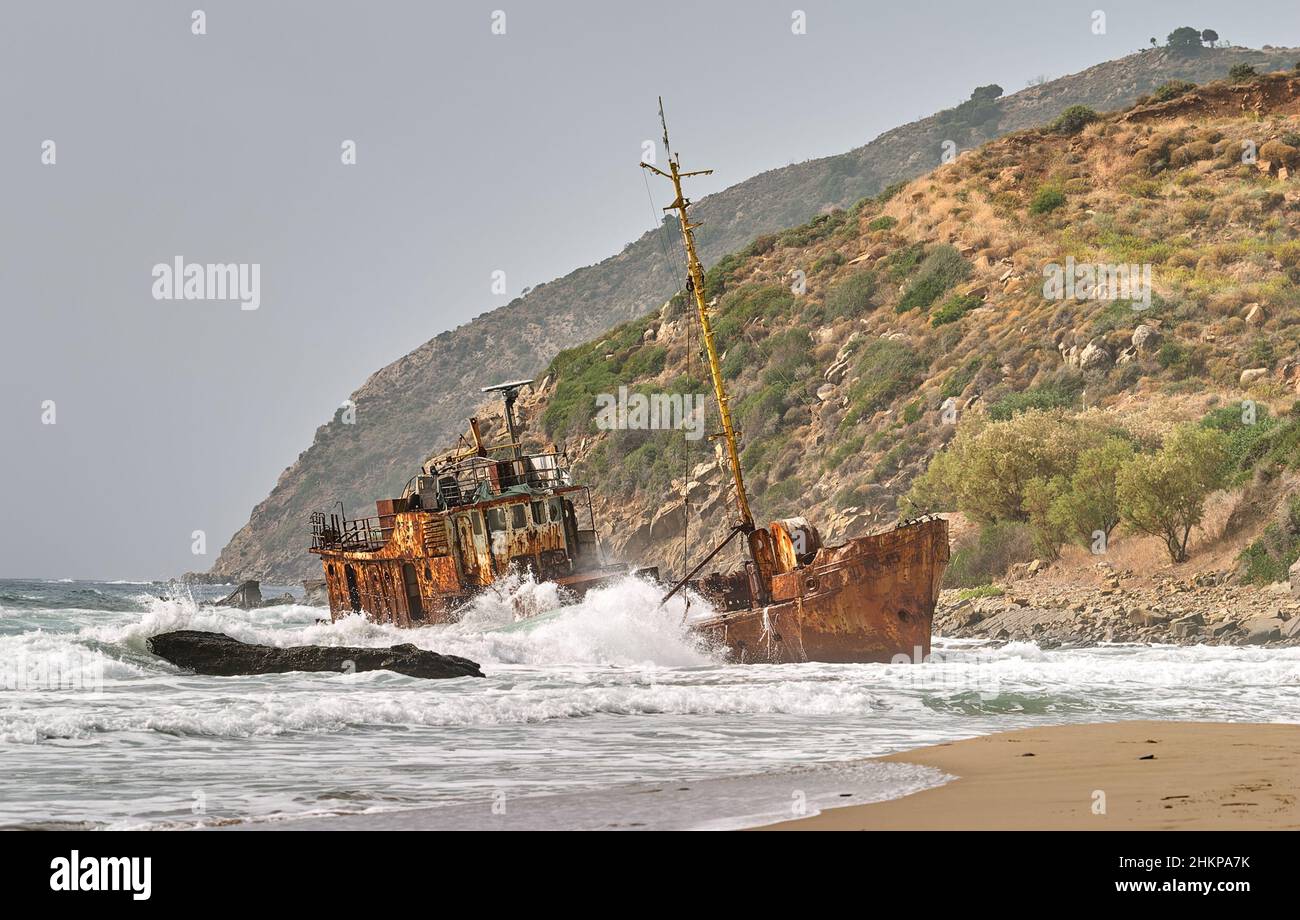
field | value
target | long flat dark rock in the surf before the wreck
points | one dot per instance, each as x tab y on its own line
222	656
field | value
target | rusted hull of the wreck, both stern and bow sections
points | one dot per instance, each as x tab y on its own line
870	600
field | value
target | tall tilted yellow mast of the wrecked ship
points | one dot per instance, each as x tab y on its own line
759	546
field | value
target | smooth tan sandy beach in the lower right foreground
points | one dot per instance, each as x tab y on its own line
1116	776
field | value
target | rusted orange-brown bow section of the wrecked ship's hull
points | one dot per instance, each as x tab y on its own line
870	600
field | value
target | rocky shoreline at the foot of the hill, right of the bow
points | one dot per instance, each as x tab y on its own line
1206	609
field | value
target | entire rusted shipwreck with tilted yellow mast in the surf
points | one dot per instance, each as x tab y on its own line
476	514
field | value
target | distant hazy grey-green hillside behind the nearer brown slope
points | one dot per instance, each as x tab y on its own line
419	402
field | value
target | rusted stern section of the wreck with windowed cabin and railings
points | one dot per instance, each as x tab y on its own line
461	524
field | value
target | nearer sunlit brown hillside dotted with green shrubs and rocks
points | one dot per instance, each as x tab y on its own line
926	315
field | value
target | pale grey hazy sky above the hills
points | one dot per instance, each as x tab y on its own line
475	154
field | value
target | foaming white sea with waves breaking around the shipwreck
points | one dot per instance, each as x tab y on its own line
605	713
